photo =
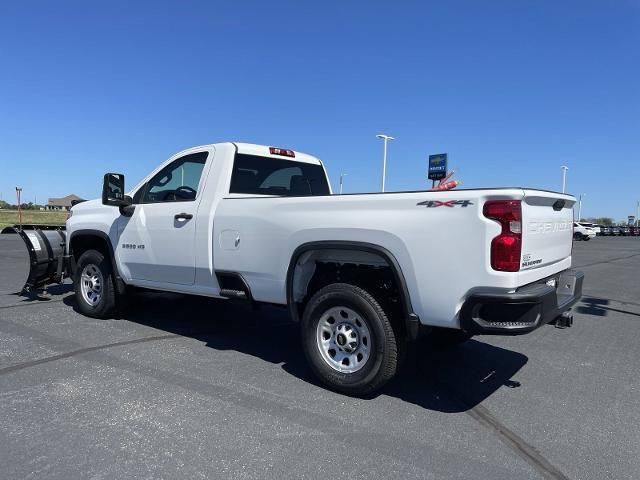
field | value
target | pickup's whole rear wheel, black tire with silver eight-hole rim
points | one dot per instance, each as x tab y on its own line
348	340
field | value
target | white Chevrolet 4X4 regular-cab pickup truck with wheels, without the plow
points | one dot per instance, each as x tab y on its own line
362	273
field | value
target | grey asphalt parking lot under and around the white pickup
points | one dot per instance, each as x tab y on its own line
185	387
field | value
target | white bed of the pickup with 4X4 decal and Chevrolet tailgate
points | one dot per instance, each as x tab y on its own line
441	240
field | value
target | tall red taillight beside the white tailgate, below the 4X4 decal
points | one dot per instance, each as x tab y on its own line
506	247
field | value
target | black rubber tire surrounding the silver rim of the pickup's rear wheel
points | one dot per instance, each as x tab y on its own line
382	364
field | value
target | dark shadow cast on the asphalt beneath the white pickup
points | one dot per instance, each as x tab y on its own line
448	381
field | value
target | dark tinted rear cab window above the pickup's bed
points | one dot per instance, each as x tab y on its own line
256	175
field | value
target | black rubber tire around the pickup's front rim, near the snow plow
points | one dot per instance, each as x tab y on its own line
105	307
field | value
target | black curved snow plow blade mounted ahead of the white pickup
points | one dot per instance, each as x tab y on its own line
46	247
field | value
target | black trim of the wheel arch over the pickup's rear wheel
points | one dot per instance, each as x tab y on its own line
410	319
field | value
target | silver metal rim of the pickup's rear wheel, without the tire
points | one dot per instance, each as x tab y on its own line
343	339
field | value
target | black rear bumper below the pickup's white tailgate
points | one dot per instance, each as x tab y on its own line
495	312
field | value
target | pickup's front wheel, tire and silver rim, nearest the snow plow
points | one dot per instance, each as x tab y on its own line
94	285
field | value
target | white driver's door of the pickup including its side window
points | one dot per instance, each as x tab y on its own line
157	243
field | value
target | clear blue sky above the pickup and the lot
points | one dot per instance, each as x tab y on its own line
511	89
